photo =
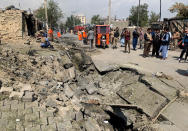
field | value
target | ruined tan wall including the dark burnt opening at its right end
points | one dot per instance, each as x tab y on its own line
17	24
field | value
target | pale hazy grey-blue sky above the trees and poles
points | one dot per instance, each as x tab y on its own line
120	8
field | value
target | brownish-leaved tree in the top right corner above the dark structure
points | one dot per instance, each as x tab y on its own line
180	9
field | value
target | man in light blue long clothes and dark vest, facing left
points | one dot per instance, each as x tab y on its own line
165	41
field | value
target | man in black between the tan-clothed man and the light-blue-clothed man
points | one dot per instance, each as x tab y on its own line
156	43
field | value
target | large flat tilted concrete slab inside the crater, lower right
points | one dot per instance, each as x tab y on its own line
138	94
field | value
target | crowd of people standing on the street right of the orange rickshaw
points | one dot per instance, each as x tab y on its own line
159	40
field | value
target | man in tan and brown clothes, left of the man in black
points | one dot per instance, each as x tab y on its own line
148	41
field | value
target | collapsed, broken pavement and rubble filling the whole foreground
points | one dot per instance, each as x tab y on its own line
63	89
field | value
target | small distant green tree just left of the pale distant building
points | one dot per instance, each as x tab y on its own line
72	21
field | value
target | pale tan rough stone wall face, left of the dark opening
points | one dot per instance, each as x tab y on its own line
11	23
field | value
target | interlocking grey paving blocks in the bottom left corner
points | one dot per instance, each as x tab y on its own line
27	116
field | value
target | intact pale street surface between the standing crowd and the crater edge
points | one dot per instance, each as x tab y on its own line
171	66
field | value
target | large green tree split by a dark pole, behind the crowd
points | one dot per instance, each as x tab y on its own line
143	12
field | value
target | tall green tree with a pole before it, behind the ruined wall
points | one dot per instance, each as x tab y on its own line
54	14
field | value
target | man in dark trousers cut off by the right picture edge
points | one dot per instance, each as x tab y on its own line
185	46
